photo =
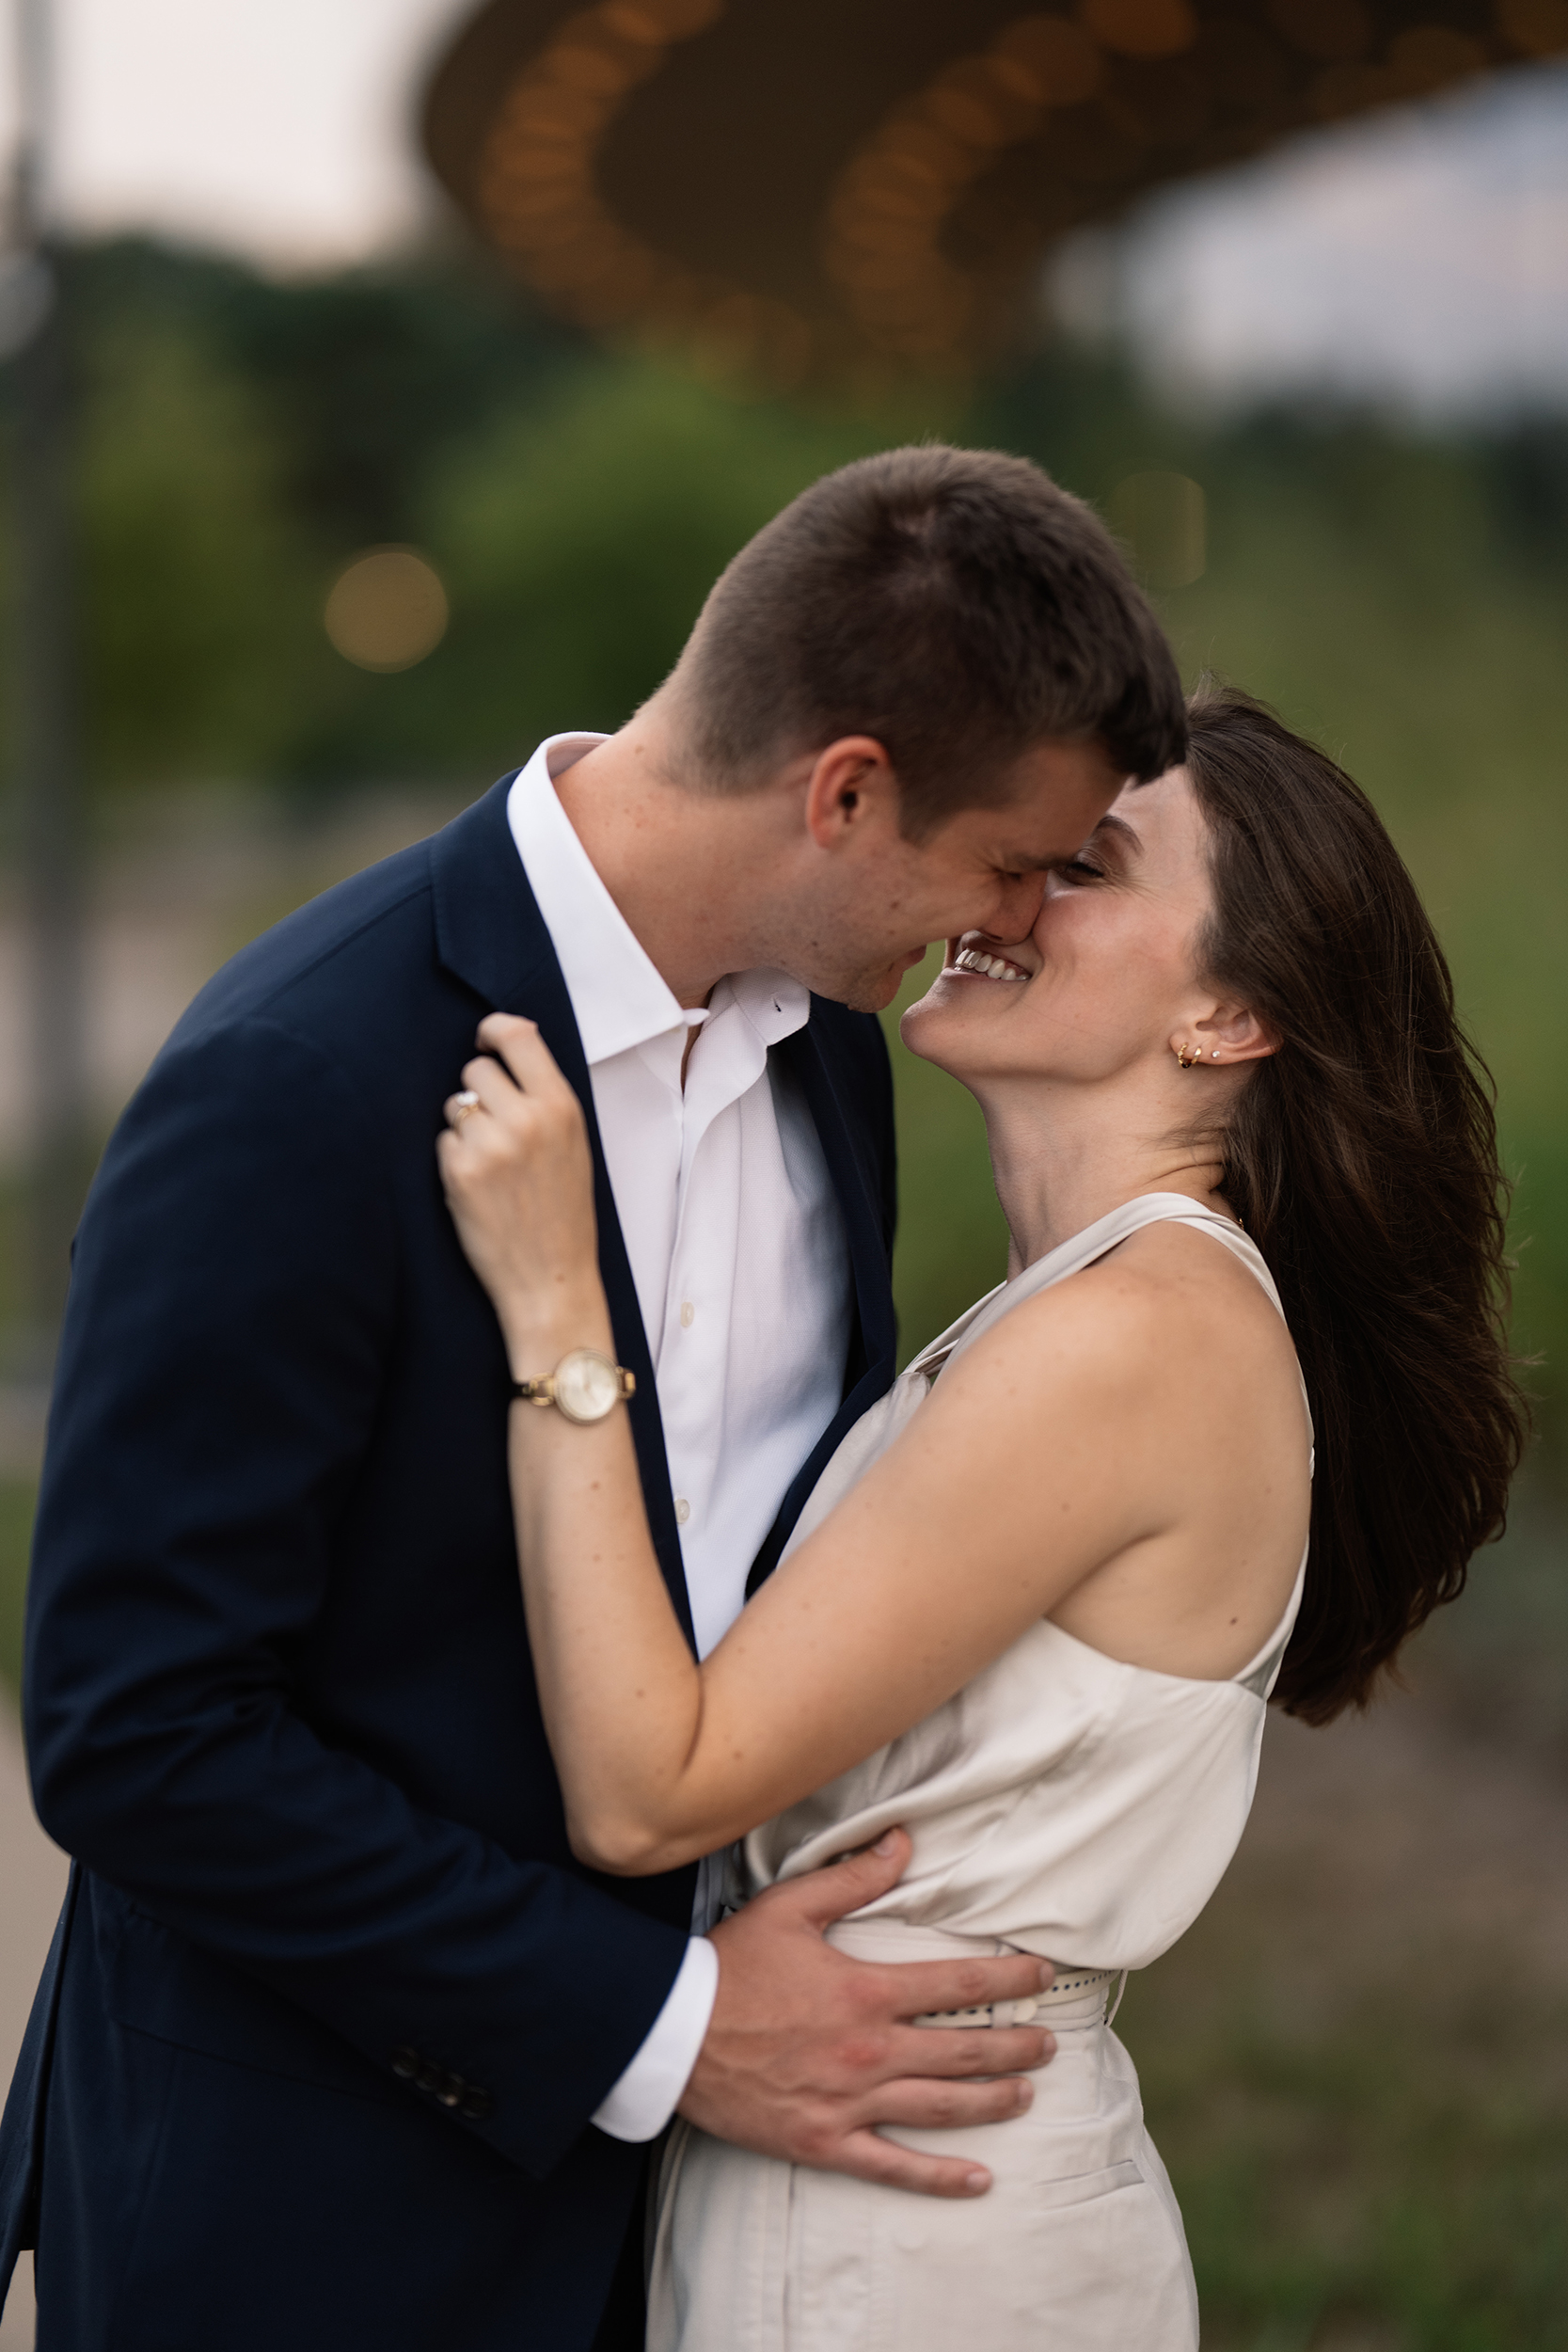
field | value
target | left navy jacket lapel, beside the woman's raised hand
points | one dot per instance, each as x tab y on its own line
492	937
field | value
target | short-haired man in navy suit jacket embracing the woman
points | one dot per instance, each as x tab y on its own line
337	2045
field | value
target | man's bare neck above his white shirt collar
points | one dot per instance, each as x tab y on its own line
669	857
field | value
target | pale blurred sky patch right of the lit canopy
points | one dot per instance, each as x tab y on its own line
1421	258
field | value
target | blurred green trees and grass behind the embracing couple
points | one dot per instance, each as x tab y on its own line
1402	596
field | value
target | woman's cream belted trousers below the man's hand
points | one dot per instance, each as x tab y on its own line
1078	2245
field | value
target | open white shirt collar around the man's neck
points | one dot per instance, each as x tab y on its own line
617	994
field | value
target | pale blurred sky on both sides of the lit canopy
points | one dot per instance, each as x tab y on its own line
1419	258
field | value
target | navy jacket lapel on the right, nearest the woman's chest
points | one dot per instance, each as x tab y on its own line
873	1354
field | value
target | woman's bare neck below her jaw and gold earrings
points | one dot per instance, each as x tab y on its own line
1066	1156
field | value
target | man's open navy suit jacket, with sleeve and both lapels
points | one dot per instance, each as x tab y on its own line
330	2003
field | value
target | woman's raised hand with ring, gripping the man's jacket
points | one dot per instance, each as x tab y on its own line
518	1180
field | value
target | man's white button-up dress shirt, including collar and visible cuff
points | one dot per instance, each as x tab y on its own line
742	1271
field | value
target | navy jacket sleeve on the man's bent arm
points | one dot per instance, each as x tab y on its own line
227	1342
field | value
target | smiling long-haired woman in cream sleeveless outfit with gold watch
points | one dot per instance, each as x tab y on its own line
1038	1605
